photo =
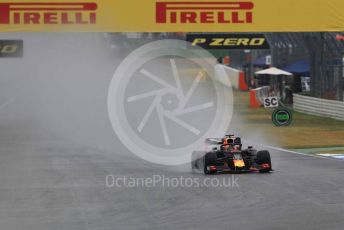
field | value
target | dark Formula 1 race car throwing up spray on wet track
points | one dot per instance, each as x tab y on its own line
226	155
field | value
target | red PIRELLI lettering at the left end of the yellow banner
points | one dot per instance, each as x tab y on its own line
38	13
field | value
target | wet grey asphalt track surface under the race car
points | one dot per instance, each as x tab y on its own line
61	186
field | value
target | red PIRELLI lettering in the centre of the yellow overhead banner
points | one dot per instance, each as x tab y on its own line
215	12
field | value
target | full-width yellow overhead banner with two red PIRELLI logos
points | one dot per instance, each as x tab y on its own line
172	15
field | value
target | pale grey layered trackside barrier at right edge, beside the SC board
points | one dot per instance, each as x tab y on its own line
319	107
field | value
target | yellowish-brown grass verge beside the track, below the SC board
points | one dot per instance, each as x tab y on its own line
306	131
